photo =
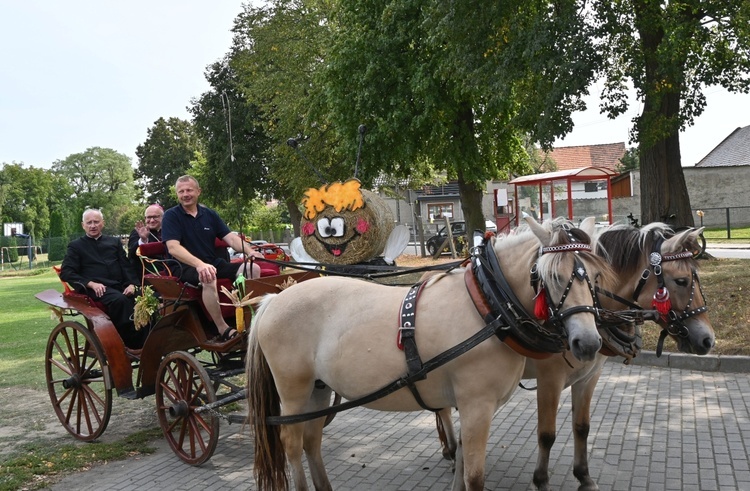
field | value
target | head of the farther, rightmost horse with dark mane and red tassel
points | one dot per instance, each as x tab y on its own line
658	271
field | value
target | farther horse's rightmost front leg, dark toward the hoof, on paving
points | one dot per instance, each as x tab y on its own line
582	392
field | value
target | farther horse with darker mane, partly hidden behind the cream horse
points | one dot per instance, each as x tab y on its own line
646	260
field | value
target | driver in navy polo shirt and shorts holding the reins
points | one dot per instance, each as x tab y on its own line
189	230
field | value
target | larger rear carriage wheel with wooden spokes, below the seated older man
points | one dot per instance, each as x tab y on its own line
78	380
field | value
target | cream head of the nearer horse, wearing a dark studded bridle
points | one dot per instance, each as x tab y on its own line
564	271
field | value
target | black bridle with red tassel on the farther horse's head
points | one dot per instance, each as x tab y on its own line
671	322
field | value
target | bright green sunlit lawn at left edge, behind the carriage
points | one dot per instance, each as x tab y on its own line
25	324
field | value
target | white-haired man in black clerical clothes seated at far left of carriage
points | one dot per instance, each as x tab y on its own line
96	265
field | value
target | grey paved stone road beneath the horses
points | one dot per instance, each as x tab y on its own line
652	429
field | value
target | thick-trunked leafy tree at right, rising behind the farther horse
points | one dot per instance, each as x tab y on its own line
669	51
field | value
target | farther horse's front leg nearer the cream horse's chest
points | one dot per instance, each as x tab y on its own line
549	388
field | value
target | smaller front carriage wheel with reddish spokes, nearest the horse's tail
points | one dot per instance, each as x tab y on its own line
183	386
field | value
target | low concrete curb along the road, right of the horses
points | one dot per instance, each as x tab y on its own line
683	361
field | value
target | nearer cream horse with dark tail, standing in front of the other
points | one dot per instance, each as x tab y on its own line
340	334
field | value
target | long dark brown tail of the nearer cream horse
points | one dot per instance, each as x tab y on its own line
263	401
